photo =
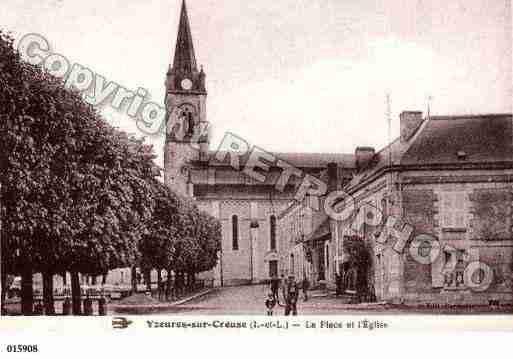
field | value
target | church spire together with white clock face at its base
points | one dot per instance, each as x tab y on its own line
183	76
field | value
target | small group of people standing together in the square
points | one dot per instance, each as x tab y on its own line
290	294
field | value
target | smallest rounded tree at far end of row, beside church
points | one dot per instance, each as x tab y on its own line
180	239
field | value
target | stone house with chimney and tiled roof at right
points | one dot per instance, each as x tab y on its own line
433	213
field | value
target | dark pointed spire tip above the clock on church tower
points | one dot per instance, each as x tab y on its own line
184	60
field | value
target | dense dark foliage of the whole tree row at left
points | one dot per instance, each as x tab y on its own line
79	195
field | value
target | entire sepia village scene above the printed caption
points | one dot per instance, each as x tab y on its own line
310	158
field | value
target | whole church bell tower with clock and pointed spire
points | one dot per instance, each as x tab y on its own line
187	130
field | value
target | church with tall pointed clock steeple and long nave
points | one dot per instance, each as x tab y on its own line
247	209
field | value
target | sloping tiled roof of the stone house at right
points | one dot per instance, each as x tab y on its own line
479	138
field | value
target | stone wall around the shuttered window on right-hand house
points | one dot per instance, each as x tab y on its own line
486	238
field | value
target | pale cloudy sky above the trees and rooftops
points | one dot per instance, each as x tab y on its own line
293	75
